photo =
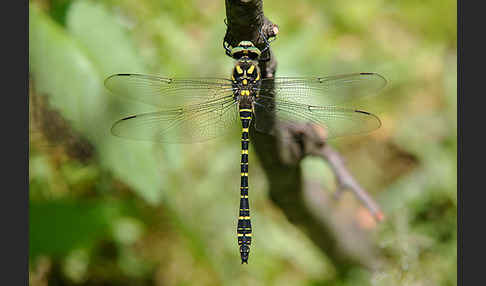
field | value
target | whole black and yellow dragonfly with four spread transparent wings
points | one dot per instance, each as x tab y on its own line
199	109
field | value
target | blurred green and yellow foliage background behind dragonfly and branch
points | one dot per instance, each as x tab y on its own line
111	211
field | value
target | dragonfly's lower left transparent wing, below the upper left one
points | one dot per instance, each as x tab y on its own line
194	123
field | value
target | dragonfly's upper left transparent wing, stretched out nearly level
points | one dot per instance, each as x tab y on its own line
163	92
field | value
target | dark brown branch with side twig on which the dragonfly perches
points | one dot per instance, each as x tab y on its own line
305	203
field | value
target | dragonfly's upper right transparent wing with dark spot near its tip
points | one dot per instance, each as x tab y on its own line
324	90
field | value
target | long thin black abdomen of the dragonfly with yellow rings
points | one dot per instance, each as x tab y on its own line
244	224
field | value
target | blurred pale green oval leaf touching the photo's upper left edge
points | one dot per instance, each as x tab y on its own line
62	70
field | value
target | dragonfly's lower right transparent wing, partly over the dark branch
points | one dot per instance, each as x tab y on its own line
334	121
